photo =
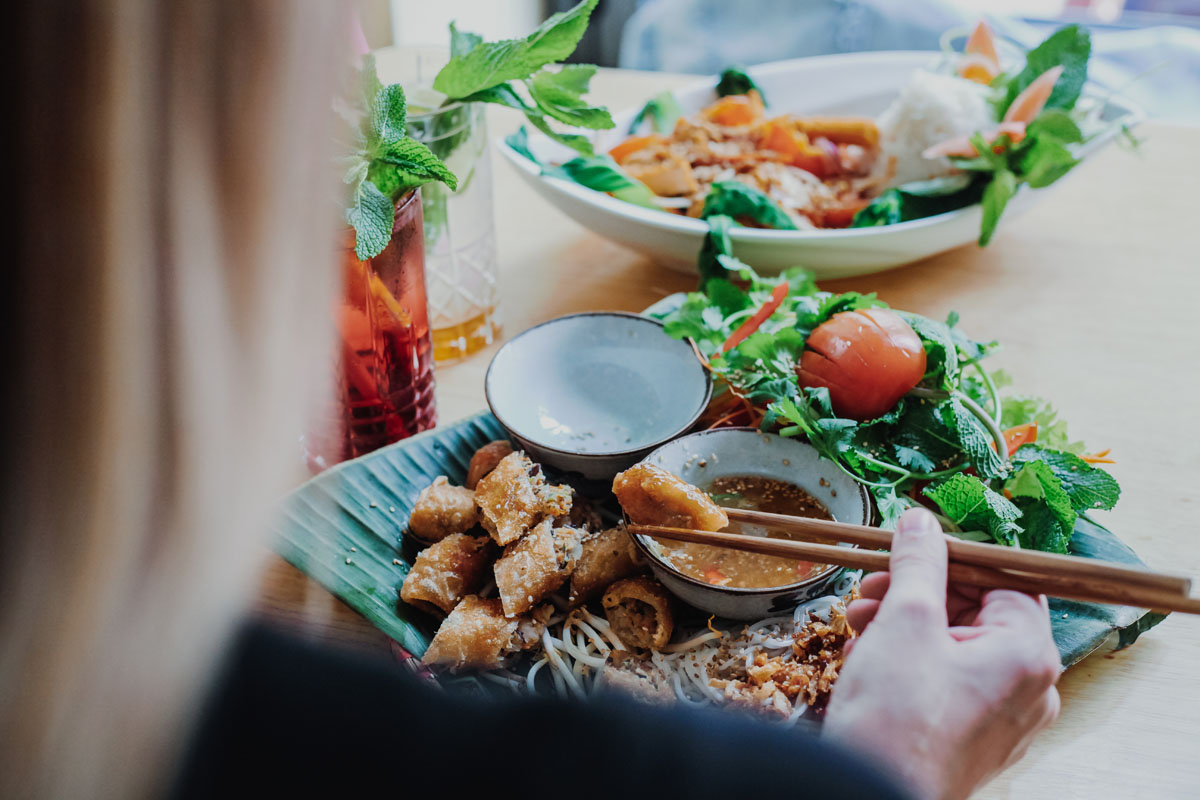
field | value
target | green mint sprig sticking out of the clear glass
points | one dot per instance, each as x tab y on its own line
514	74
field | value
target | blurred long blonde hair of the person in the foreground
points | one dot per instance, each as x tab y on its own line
169	315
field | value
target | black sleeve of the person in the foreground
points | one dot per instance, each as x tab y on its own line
291	719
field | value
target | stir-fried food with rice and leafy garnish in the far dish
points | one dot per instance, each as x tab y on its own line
974	127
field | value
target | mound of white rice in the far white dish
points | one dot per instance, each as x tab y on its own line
928	111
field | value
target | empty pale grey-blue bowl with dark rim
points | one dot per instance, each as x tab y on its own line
595	393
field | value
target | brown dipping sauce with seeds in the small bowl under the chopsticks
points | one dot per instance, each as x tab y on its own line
725	568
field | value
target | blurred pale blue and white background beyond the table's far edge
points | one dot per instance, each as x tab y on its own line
1148	50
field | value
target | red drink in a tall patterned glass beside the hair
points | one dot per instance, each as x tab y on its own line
386	362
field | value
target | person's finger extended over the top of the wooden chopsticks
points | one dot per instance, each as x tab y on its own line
916	594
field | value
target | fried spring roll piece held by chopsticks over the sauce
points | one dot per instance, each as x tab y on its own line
652	496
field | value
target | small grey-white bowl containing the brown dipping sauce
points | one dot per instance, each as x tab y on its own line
704	458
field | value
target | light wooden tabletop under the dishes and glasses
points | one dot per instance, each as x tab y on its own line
1094	297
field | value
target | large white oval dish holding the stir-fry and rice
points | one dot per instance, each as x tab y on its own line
854	83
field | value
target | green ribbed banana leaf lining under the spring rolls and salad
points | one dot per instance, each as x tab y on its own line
345	530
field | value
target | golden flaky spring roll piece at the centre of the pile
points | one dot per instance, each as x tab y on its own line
537	566
